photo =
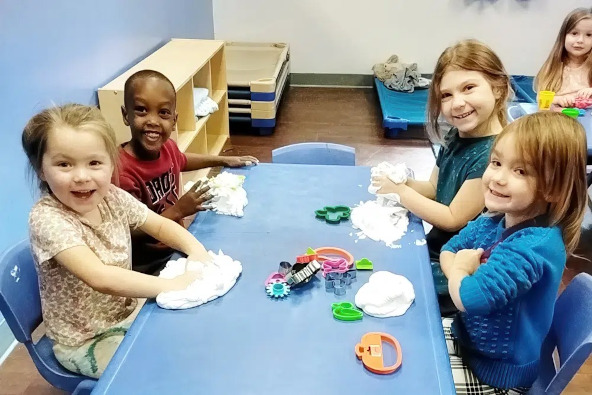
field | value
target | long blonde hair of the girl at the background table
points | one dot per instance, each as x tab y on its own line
550	76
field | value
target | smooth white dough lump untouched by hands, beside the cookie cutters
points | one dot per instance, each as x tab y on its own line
385	294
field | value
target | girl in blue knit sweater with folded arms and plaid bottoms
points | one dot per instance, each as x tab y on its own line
504	268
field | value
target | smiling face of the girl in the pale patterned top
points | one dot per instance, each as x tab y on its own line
77	168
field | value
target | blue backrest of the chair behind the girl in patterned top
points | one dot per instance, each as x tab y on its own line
20	302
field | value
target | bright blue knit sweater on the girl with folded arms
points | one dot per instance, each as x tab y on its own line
509	300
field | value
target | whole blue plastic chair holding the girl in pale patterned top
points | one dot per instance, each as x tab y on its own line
20	304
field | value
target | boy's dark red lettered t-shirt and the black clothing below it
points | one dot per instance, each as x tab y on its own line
156	184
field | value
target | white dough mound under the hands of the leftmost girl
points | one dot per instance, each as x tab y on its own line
218	277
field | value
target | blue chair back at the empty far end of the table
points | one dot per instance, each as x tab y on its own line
315	154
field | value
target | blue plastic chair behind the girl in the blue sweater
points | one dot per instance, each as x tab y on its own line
571	334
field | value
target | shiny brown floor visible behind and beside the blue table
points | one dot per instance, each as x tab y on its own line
346	116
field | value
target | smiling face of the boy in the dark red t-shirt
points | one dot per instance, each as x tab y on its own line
151	116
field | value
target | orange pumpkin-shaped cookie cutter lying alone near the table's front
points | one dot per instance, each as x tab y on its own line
369	350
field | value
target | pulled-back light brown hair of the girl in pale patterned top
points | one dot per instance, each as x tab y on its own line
76	116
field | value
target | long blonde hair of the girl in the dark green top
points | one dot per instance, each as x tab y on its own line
470	55
